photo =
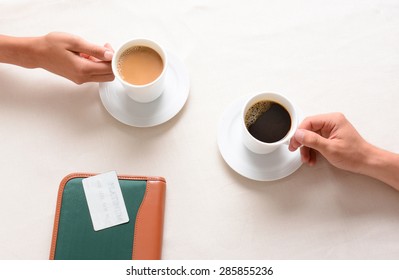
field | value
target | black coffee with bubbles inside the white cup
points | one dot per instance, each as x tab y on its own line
268	121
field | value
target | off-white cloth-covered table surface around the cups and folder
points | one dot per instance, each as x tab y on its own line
325	55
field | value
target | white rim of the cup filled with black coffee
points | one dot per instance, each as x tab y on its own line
275	97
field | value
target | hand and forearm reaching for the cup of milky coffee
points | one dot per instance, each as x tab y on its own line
64	54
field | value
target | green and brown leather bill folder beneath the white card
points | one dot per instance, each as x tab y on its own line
141	238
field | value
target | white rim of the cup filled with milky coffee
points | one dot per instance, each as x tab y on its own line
129	43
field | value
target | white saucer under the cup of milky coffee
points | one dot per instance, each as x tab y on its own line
130	112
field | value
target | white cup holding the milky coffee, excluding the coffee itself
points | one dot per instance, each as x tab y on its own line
147	92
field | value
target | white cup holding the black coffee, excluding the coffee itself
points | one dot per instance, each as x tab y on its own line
256	145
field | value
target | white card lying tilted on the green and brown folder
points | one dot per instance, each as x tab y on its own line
105	200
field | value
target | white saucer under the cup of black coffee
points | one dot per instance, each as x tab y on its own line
269	167
